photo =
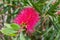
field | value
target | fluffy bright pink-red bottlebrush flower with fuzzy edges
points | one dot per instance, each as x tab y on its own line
28	18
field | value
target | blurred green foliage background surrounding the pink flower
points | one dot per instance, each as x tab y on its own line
47	29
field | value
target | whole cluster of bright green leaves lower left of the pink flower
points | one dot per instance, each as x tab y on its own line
10	29
